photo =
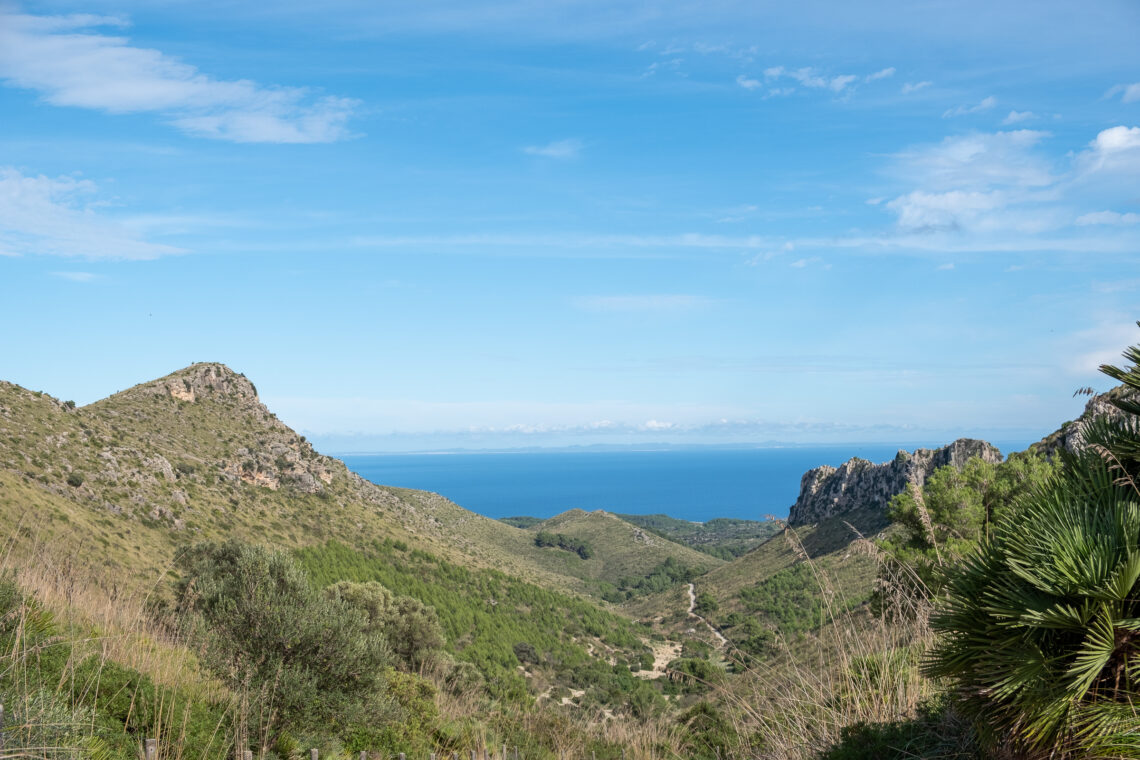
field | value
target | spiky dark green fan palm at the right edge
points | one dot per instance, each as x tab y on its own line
1041	627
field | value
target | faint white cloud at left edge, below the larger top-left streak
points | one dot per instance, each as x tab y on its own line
59	217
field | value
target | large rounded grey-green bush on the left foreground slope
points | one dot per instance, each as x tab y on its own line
298	658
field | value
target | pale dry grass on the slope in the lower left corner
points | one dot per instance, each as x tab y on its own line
101	624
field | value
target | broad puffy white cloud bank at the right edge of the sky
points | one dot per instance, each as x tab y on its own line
1003	193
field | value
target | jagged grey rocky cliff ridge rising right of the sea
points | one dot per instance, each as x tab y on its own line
827	492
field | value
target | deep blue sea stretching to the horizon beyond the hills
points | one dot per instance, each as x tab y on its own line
696	485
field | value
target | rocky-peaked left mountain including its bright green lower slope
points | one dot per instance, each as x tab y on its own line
116	489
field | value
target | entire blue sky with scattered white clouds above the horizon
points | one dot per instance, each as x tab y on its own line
435	225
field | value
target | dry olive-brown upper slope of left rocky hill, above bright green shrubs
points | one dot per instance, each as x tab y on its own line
196	456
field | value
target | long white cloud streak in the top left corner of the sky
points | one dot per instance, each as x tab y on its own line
70	64
